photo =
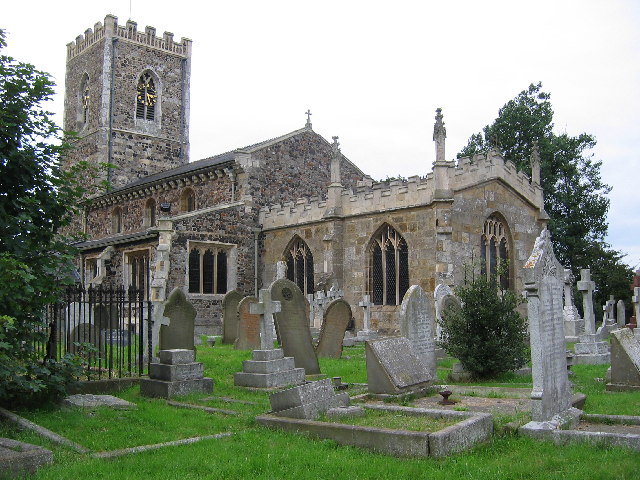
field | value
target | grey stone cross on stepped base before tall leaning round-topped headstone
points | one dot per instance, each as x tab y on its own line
268	367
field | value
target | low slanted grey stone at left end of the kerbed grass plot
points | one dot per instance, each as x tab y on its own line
307	401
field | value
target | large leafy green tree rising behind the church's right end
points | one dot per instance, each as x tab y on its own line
574	193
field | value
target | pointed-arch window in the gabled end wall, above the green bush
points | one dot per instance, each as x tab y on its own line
494	250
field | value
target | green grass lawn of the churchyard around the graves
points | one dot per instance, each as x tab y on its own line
257	453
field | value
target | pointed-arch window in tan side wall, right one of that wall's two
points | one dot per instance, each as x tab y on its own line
388	267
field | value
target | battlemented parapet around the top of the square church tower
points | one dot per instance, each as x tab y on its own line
130	32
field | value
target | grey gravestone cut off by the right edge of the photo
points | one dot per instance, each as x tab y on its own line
625	361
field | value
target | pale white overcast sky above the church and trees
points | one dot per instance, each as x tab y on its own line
374	72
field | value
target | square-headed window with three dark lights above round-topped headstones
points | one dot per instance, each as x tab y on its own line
208	269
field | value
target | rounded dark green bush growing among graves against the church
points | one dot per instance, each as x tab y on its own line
487	334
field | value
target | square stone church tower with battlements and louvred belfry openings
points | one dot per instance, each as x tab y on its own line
127	98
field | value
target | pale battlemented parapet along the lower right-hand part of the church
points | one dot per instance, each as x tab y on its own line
374	197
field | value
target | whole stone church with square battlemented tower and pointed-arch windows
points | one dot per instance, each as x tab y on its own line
222	222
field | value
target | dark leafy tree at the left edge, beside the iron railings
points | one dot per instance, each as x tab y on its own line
37	201
